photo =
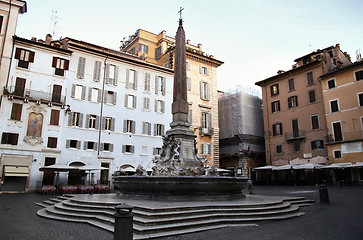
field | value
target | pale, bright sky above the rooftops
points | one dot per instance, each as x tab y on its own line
253	38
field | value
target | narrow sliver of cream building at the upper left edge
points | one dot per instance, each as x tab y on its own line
9	11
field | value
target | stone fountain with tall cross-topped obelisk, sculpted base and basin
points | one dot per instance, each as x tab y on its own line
179	172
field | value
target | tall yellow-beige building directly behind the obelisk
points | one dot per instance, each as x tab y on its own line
201	81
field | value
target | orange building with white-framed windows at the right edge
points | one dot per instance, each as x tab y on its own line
343	102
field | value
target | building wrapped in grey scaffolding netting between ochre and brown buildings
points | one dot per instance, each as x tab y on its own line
241	142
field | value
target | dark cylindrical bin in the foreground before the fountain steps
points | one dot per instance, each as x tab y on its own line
123	222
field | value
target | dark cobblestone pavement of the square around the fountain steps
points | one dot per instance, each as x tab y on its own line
341	219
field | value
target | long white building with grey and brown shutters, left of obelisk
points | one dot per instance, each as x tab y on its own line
61	106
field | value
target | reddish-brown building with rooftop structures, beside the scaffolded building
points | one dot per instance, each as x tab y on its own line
293	107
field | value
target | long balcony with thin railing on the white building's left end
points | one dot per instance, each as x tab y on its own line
35	96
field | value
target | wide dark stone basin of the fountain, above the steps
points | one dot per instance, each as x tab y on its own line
180	187
